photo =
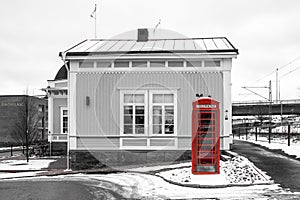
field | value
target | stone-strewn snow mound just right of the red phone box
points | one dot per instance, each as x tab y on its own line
239	170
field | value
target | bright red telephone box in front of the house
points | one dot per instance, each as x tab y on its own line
206	136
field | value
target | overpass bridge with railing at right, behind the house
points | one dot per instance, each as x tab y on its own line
283	107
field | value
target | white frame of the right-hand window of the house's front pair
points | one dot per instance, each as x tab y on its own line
151	104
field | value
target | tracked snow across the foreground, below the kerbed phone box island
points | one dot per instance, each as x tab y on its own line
146	186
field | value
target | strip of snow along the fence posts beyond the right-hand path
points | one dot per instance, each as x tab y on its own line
293	149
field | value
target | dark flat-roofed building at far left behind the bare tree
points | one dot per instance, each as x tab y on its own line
12	107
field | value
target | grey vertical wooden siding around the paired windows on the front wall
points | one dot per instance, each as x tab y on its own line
101	115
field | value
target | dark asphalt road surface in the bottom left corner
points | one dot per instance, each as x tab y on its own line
39	189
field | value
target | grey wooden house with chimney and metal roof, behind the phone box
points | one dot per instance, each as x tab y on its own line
131	100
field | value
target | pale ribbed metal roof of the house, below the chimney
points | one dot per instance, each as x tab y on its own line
130	46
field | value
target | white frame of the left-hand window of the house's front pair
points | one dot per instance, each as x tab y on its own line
145	104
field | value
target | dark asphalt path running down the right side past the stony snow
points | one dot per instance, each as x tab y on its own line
283	170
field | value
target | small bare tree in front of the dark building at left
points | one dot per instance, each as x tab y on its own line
25	129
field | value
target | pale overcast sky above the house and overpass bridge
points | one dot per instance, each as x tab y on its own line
266	32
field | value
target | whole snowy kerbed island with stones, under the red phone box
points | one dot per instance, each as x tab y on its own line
236	171
